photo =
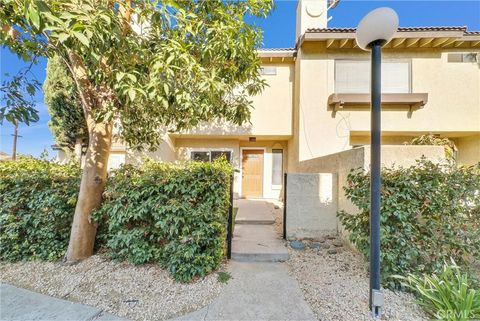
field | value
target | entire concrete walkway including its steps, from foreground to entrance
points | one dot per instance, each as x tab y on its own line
260	288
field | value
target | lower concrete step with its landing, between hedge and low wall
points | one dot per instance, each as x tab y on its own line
258	243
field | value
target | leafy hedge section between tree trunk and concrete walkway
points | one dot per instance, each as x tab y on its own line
172	214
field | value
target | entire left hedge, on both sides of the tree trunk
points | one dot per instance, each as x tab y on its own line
175	215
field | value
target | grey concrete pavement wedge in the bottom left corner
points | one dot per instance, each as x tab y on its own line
23	305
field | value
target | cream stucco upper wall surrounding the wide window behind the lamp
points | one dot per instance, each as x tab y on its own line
453	107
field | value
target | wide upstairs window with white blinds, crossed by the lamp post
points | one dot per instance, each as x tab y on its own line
353	76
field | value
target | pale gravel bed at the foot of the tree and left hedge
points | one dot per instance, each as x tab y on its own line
135	292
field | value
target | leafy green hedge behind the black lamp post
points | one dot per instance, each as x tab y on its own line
429	213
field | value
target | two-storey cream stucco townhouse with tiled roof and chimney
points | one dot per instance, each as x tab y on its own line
317	102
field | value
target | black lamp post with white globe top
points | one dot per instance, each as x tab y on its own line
375	30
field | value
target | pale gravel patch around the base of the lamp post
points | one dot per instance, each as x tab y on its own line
336	286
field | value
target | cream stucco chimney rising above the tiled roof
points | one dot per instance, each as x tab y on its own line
310	14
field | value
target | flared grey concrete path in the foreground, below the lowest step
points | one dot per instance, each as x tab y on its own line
257	291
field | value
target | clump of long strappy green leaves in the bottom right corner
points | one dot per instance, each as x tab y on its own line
447	296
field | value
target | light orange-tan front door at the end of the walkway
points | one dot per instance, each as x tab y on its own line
252	173
